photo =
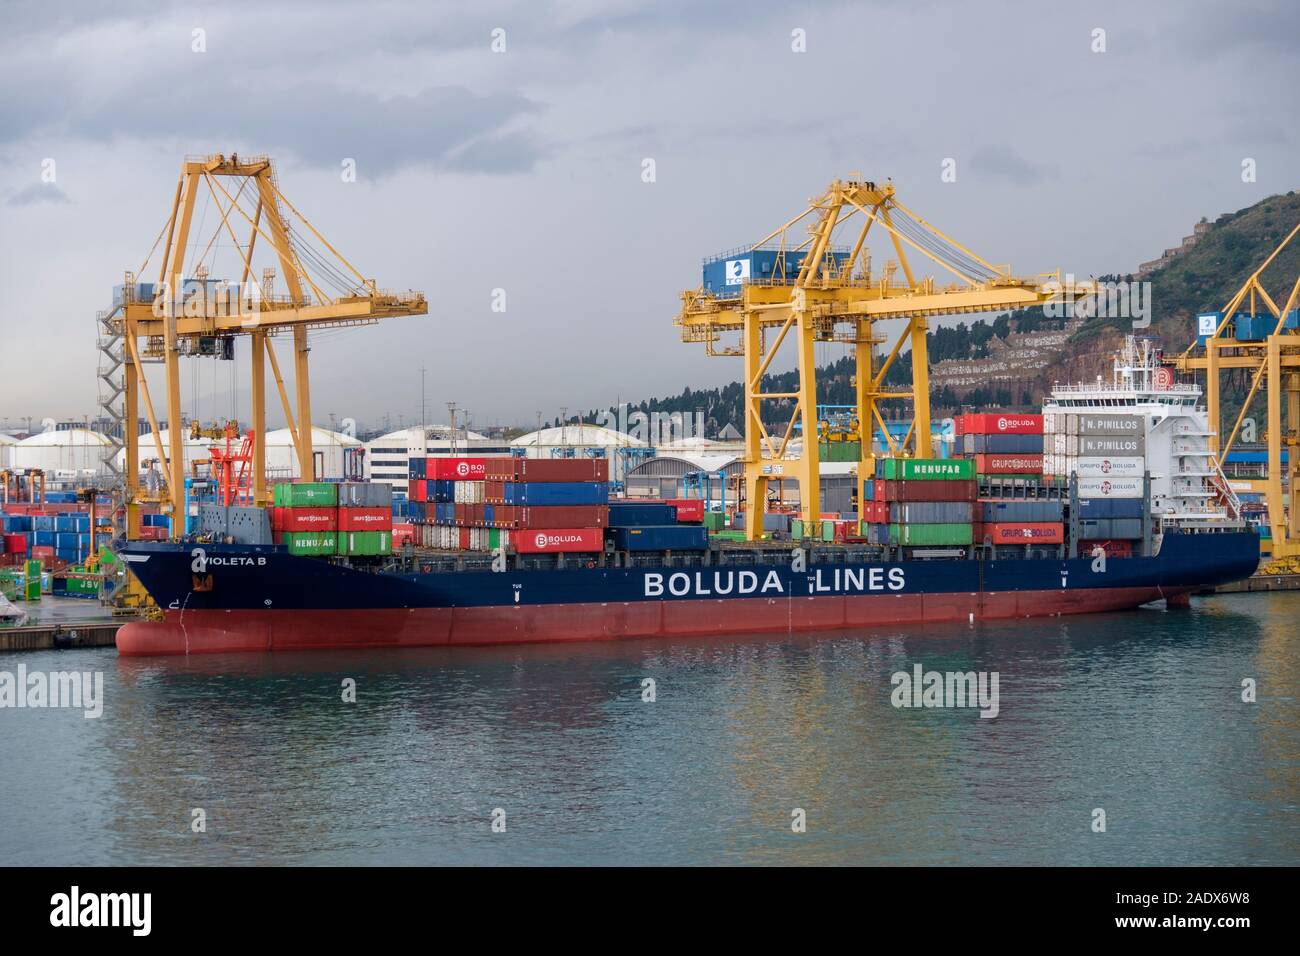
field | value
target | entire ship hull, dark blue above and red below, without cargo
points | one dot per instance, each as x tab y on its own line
236	598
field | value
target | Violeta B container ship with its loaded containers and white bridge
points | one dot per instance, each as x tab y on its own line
1107	500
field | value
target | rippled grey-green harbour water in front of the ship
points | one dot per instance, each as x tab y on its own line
1138	715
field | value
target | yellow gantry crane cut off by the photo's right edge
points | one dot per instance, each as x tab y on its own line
1254	332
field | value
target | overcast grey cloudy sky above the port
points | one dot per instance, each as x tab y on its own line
523	170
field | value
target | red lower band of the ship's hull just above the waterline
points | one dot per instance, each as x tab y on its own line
226	631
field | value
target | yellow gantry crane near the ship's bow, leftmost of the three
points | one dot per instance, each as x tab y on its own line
185	314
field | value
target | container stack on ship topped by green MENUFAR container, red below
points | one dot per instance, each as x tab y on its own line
921	503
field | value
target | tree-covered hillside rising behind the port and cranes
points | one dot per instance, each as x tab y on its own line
1015	360
